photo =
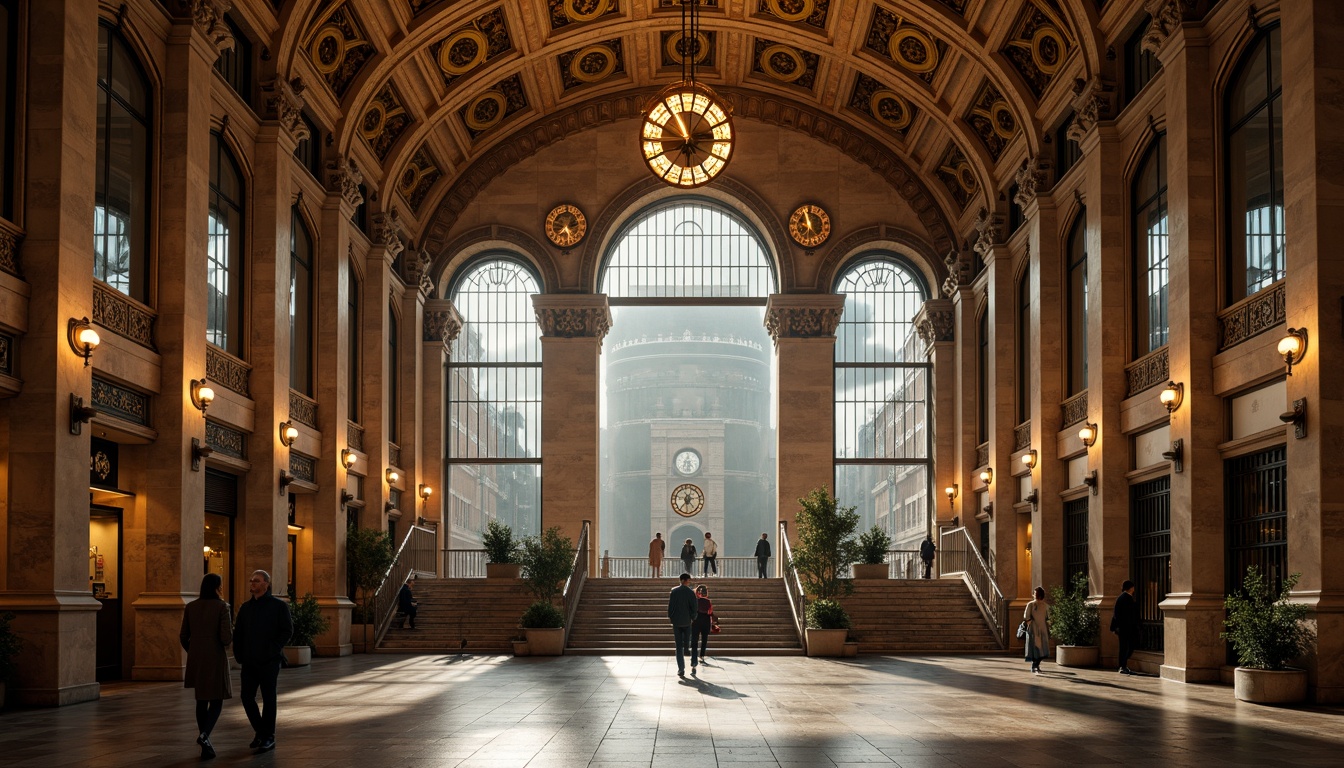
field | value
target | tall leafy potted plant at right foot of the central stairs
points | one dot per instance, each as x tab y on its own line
823	551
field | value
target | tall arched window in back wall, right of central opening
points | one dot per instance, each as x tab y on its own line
882	399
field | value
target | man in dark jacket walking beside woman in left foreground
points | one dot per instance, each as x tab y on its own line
260	636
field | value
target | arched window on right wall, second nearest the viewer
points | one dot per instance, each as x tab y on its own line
1151	259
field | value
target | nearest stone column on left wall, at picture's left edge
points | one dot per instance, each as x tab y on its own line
48	514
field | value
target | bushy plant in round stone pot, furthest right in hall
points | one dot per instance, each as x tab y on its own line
1267	633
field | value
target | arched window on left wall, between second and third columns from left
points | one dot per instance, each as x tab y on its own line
225	251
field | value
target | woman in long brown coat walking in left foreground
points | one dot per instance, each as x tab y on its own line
208	629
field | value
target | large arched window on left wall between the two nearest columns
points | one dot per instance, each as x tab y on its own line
122	186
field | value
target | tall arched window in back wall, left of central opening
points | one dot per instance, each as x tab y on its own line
494	404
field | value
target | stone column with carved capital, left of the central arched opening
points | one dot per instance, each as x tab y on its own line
573	328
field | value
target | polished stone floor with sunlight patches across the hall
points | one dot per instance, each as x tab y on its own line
380	711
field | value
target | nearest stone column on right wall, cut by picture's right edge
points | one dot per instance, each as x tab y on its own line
1314	184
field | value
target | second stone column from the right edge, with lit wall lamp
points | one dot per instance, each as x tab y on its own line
1194	609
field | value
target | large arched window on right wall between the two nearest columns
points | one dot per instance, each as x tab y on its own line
1255	142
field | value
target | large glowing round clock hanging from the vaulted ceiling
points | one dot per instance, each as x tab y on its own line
687	137
